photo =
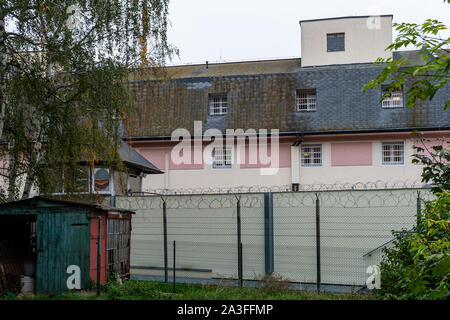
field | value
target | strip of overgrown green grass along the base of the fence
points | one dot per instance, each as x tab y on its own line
145	290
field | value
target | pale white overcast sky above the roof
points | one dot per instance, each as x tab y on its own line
236	30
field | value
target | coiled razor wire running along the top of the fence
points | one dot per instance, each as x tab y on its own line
353	198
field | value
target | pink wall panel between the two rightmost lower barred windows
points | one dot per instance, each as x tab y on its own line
351	154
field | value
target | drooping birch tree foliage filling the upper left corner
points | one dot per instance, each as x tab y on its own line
67	87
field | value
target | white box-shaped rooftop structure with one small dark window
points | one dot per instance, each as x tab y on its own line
345	40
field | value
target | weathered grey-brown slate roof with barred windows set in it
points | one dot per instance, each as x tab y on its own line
261	95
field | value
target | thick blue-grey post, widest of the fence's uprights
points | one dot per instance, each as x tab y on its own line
268	233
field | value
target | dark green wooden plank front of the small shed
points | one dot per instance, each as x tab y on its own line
62	241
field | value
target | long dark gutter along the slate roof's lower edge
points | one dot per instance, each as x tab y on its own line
305	133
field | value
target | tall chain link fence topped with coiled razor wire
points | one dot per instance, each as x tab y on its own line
309	237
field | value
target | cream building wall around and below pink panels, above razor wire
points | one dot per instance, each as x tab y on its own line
209	178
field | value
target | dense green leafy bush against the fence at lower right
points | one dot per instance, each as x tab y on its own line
418	264
